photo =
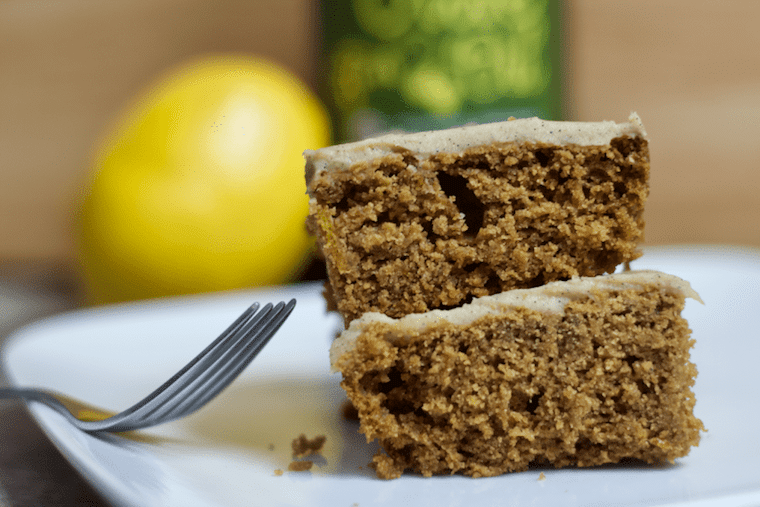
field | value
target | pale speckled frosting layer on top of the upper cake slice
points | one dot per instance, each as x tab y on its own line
458	139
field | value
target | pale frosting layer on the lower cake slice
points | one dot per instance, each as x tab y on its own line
550	299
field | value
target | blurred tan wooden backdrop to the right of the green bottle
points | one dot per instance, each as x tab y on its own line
692	72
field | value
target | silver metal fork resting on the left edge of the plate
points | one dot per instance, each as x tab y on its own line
193	386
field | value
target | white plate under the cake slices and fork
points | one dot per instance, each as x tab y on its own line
226	454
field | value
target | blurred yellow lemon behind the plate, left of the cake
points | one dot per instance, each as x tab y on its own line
200	186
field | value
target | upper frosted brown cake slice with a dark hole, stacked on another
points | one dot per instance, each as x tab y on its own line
413	222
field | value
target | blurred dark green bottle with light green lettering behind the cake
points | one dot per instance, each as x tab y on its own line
416	65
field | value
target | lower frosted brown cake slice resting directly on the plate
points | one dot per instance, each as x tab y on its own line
580	372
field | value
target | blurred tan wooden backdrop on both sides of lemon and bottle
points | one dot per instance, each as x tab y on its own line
691	69
